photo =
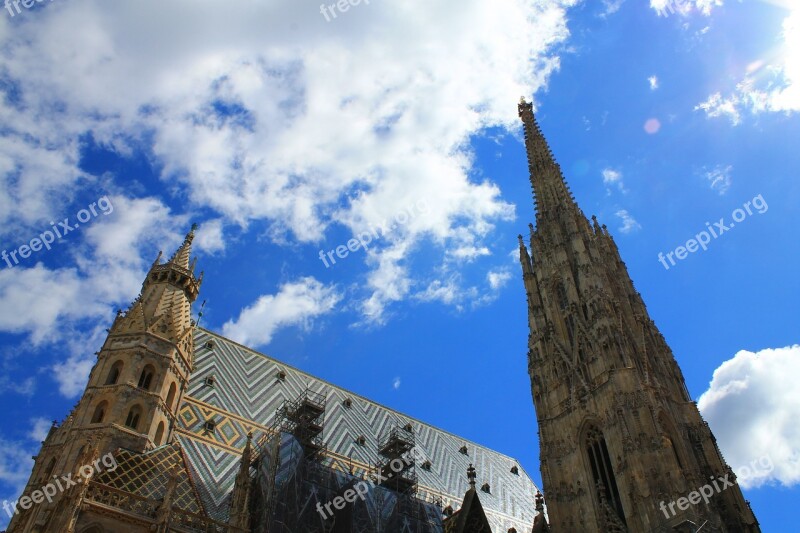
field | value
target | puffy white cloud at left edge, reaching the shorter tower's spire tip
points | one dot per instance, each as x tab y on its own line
47	303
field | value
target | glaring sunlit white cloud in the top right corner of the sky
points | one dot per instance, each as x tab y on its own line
768	86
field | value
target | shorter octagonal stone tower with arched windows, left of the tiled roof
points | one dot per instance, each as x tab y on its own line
133	392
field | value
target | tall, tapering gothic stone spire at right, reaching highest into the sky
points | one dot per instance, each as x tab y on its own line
621	439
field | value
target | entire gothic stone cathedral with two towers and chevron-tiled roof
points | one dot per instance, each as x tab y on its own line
206	435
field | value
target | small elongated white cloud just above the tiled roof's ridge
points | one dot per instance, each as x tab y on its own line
295	304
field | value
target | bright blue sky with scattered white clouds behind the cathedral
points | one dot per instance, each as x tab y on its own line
282	134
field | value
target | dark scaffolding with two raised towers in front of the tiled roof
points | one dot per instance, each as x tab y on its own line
296	477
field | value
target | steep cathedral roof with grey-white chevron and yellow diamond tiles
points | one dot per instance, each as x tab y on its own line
247	388
